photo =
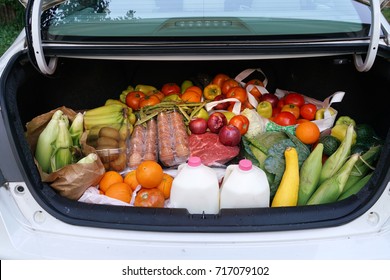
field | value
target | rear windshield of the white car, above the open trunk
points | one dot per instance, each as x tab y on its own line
211	19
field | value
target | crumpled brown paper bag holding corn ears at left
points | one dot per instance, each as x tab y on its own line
70	181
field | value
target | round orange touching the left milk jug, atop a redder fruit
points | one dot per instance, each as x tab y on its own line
149	174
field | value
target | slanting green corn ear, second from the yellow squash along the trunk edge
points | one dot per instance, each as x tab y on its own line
330	190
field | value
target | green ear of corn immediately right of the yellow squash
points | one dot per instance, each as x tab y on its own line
309	174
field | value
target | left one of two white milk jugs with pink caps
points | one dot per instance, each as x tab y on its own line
196	188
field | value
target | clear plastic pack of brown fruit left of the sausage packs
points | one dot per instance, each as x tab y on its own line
111	147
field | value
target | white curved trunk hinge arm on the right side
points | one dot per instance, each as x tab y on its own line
376	15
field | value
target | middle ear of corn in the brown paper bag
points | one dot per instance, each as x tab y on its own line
62	154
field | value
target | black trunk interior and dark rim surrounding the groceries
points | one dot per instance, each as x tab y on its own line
81	84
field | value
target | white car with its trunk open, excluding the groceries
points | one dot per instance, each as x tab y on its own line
78	54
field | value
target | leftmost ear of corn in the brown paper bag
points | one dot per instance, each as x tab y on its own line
45	143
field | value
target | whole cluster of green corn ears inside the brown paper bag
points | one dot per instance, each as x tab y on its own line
58	142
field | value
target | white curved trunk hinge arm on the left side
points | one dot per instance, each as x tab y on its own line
34	40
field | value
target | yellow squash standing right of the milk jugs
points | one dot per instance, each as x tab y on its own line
287	192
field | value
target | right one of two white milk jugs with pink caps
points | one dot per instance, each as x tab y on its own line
244	186
